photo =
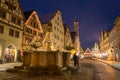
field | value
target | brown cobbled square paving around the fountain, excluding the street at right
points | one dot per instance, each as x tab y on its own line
84	73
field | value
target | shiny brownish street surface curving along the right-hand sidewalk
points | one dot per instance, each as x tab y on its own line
102	71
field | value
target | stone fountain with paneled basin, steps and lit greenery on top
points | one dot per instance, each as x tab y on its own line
42	62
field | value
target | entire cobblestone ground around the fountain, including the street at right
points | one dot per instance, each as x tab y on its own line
89	70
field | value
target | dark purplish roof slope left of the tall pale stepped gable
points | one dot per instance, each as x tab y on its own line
47	18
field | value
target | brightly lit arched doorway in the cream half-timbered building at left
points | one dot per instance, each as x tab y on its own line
10	54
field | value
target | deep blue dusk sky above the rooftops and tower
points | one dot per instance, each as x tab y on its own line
93	15
